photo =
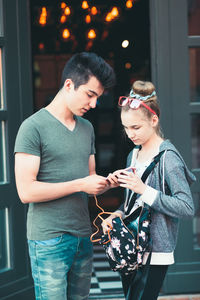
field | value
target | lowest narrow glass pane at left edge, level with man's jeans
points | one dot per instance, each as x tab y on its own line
4	240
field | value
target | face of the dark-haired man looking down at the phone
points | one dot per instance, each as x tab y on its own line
84	98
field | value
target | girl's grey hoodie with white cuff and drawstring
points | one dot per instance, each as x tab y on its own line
175	202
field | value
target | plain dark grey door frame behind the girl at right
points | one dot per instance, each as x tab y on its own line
170	73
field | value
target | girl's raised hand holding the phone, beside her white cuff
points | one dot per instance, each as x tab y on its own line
131	181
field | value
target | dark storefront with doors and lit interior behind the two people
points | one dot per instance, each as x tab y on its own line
164	46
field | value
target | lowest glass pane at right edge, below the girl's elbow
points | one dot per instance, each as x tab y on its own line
196	221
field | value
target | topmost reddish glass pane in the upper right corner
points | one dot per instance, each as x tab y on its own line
194	17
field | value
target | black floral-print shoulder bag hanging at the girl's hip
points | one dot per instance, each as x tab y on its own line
128	239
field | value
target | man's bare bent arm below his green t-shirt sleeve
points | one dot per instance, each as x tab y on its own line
32	190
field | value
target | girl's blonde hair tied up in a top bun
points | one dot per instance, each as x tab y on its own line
143	89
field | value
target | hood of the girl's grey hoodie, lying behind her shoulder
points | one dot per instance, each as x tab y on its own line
167	145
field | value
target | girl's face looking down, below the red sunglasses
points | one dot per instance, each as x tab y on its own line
138	127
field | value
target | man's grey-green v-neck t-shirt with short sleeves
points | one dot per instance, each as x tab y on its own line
64	157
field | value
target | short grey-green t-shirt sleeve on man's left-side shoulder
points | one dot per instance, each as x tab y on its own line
28	139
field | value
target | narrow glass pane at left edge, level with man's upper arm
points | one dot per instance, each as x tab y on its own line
2	153
